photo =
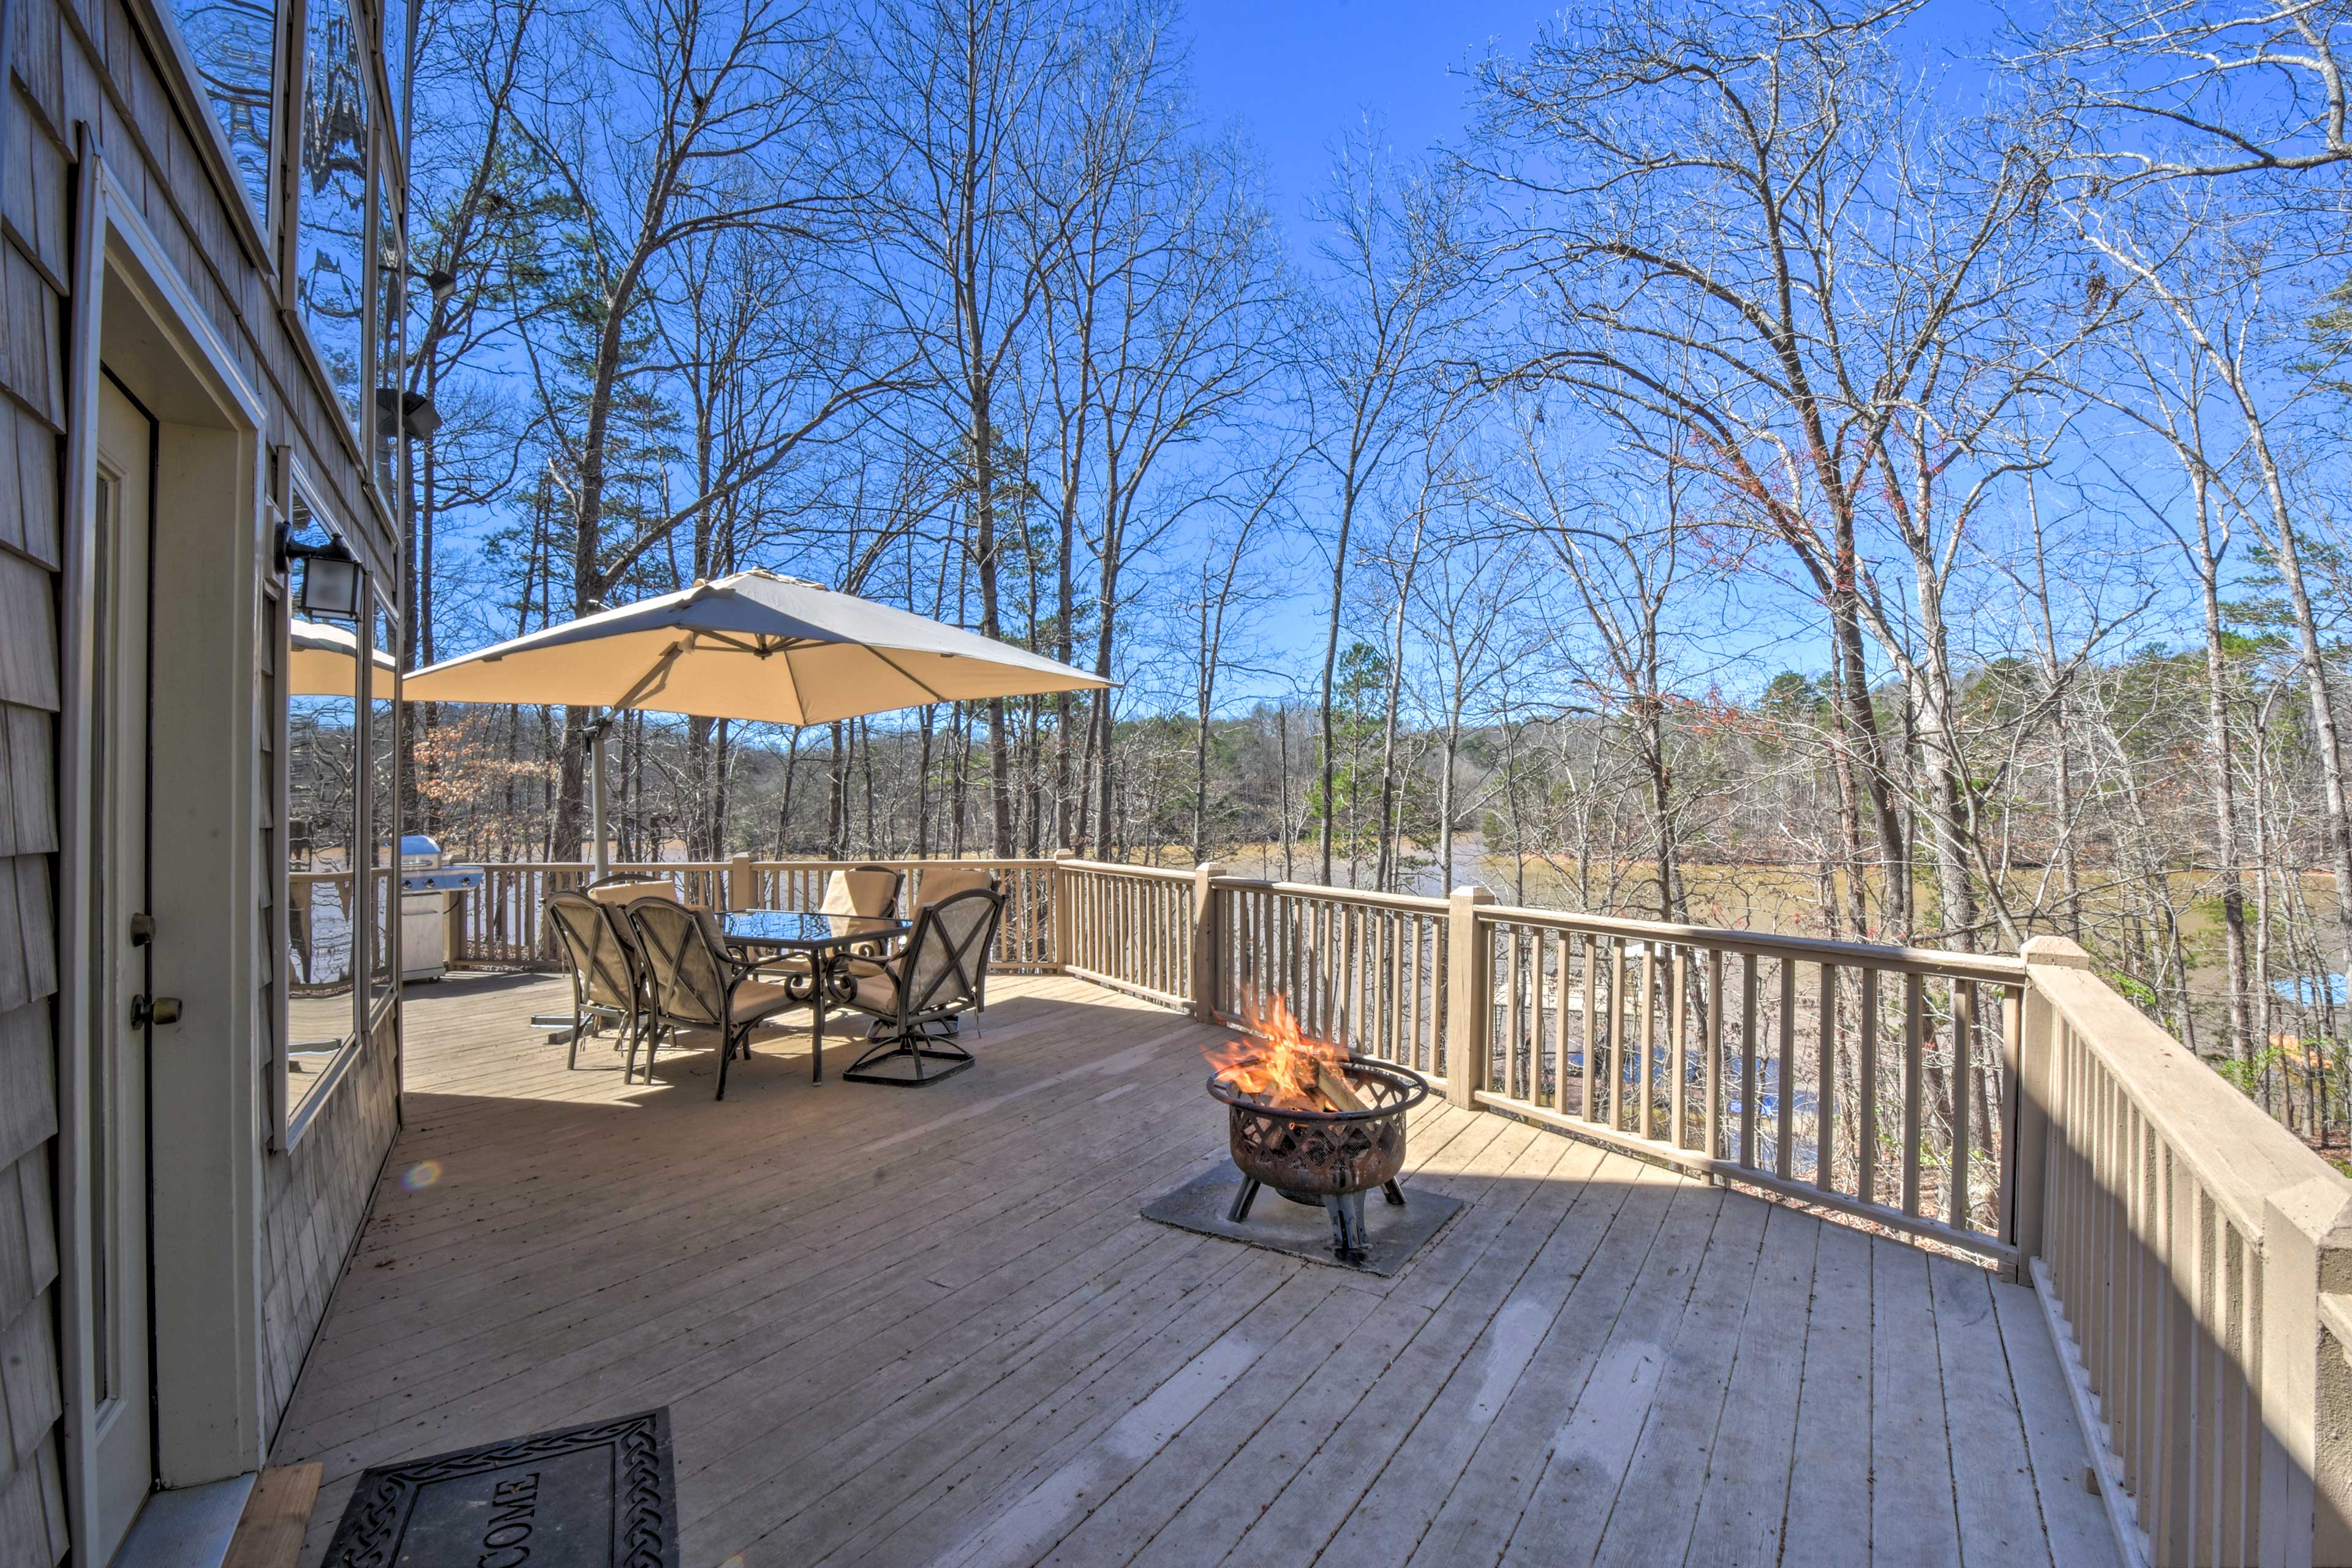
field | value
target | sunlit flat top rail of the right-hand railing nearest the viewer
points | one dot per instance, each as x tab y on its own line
2238	1153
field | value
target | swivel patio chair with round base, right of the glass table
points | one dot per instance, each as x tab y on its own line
921	993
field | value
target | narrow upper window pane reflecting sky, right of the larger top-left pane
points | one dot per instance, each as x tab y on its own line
330	253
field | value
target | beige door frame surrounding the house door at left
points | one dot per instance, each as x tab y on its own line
203	1160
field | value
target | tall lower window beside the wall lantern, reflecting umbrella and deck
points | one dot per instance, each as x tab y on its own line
323	847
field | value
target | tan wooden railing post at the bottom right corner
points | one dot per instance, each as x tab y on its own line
2306	1383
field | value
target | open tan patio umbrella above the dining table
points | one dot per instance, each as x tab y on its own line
744	648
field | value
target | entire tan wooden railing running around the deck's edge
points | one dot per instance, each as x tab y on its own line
2196	1261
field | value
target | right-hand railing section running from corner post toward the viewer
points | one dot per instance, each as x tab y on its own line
2193	1259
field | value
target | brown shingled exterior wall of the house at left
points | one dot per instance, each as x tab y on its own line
105	74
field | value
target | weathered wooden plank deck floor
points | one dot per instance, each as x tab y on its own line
930	1327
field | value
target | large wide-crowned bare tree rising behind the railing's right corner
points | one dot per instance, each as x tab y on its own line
1732	234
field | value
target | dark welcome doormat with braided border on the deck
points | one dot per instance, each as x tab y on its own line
589	1496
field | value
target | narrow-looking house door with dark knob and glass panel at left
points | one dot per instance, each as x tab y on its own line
119	977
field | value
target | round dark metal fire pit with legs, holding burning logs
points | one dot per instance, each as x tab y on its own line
1325	1158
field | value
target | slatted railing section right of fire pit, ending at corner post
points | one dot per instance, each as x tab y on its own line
1871	1080
